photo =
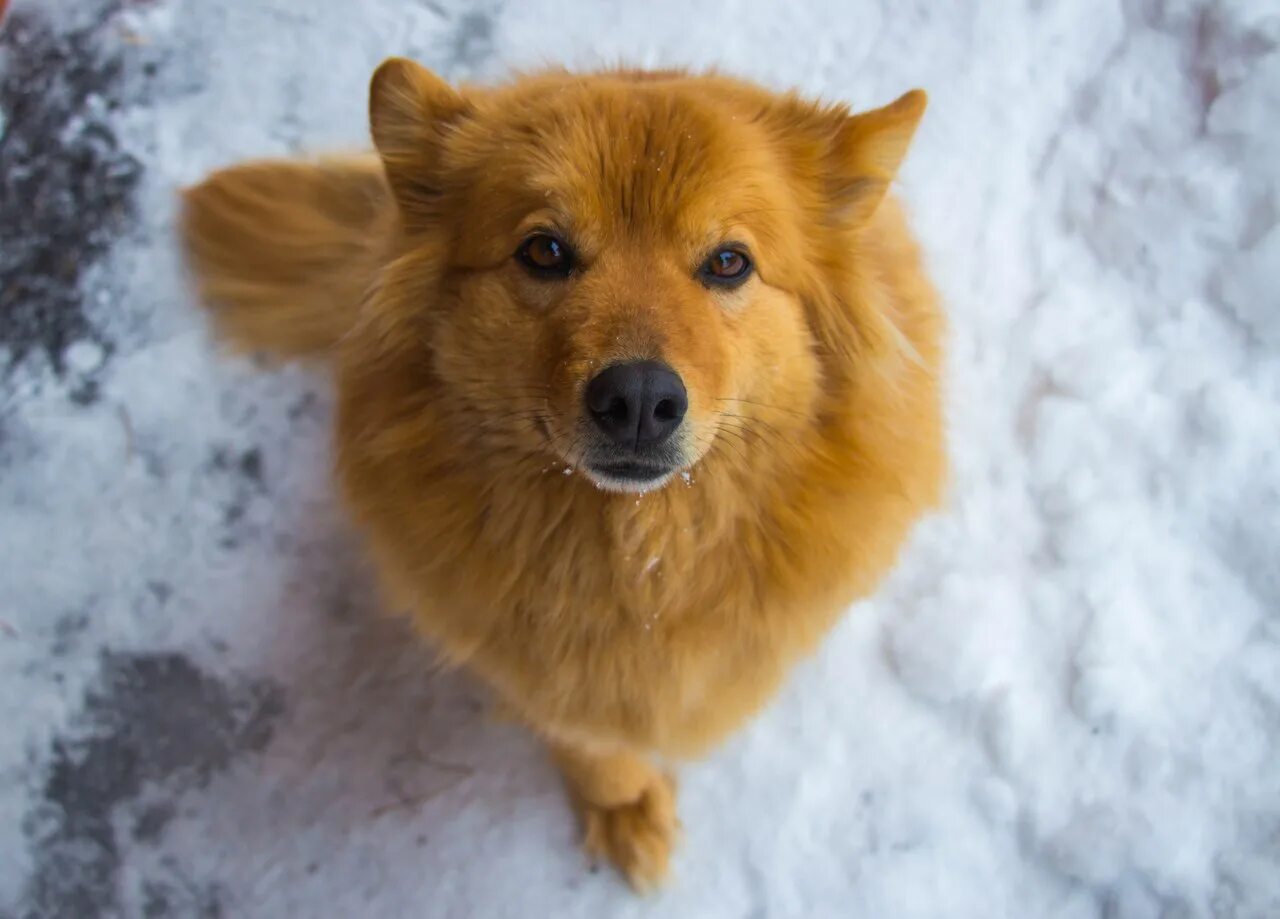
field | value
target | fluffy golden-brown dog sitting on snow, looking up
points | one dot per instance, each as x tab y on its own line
638	388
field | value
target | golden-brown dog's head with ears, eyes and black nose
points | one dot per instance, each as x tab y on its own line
628	272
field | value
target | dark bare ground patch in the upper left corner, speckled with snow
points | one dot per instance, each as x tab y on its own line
66	190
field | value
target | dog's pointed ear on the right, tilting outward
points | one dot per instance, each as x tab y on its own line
867	153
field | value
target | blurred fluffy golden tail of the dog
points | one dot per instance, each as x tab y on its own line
284	252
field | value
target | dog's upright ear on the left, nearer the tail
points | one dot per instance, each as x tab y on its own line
410	113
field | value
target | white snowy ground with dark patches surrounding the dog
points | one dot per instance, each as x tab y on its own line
1067	702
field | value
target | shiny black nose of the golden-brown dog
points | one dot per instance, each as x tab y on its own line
638	405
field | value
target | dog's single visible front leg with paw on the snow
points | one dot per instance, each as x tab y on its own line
628	810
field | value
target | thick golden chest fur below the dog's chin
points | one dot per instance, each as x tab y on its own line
655	620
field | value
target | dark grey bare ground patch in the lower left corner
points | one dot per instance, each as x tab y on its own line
153	723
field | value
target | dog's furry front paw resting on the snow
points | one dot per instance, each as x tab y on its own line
637	838
